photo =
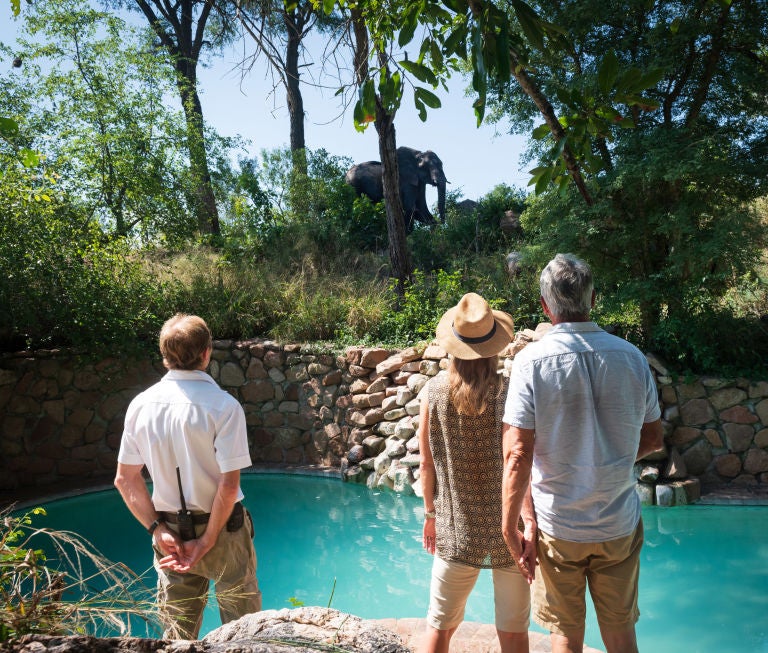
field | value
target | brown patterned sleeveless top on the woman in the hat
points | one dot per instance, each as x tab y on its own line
468	475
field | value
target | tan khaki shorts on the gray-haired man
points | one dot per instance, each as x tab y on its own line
610	569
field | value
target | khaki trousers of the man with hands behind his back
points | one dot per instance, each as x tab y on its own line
230	564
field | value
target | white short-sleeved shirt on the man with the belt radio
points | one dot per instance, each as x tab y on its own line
185	420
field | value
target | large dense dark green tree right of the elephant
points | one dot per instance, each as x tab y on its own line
670	226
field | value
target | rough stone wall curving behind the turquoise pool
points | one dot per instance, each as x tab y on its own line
61	416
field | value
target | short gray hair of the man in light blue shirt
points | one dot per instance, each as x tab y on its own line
566	286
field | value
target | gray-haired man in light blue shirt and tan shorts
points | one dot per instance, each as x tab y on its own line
582	408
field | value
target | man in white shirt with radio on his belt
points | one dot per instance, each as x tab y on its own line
191	436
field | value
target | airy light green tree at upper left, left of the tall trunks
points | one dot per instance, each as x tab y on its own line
91	98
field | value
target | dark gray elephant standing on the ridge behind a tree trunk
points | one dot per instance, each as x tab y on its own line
416	169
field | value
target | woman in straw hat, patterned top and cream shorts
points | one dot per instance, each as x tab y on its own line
461	474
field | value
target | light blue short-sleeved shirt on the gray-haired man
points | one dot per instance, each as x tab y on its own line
586	394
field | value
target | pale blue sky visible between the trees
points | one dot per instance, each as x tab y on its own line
474	159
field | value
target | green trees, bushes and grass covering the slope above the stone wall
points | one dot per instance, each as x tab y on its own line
657	176
